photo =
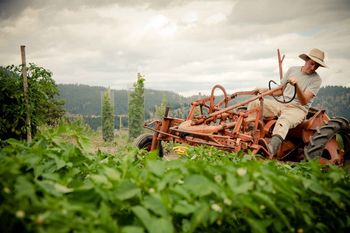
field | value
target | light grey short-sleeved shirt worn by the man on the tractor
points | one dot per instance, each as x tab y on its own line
307	82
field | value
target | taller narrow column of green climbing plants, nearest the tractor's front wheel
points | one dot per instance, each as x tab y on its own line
136	108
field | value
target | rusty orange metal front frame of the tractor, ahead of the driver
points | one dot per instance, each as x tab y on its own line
224	128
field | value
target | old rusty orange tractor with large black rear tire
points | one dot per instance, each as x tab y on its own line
223	124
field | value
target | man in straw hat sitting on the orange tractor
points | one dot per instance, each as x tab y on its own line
307	83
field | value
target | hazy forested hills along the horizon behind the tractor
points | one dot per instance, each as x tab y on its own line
86	101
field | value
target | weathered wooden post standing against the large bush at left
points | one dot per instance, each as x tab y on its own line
25	94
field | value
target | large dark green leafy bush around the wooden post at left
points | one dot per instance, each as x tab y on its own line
44	108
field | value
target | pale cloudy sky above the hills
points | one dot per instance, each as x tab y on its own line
185	46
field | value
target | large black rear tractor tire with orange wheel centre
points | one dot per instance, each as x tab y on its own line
331	143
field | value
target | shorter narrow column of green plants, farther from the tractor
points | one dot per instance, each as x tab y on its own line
107	117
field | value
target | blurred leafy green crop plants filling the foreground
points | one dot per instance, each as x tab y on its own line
54	186
